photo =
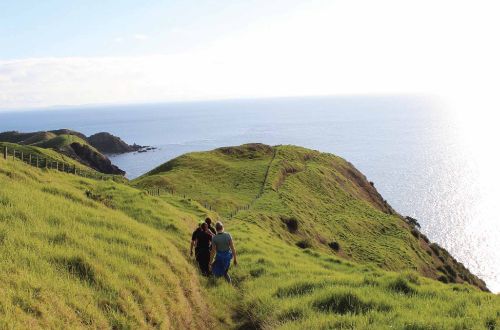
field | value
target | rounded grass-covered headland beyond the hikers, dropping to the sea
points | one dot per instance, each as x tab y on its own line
307	198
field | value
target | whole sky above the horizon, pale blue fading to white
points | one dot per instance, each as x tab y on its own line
60	53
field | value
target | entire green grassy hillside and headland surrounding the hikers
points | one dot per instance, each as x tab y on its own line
76	252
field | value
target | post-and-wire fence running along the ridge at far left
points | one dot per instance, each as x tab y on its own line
37	161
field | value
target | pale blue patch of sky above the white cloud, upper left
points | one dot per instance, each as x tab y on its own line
117	28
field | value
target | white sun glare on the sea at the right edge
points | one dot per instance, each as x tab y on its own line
475	124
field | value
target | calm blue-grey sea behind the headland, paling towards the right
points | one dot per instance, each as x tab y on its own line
409	146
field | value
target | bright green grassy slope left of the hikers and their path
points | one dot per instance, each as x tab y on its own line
116	258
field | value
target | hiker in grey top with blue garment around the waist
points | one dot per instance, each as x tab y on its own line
223	250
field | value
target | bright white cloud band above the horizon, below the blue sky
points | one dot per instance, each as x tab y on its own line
389	46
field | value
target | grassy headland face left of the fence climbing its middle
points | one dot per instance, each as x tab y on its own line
222	179
